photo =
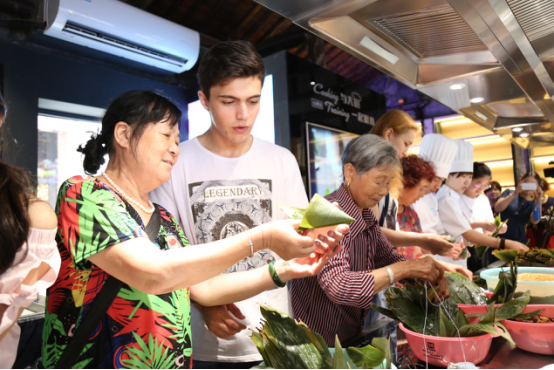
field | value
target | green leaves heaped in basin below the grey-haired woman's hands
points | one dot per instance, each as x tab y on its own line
412	306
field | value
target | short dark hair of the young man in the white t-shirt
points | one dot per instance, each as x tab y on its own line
228	61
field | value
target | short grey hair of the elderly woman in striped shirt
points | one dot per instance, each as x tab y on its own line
368	152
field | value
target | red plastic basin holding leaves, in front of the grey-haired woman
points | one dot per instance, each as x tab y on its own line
443	351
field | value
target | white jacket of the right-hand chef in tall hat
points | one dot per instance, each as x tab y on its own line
454	221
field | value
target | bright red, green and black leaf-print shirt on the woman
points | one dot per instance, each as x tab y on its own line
139	330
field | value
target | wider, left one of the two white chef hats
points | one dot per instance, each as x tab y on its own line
439	150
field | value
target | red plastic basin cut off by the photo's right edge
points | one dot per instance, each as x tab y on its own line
535	338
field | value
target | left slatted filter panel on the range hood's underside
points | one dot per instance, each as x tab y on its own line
431	32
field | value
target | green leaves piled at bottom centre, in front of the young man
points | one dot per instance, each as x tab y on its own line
287	344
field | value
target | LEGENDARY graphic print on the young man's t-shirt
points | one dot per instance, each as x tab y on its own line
222	209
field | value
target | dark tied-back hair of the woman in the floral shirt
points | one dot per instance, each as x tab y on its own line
138	109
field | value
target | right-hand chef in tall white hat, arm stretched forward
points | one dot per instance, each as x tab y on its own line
455	222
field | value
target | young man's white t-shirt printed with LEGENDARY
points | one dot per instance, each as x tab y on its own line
214	198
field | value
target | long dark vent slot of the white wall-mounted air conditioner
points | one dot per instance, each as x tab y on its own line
78	30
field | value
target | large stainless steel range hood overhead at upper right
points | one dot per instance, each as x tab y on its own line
491	60
